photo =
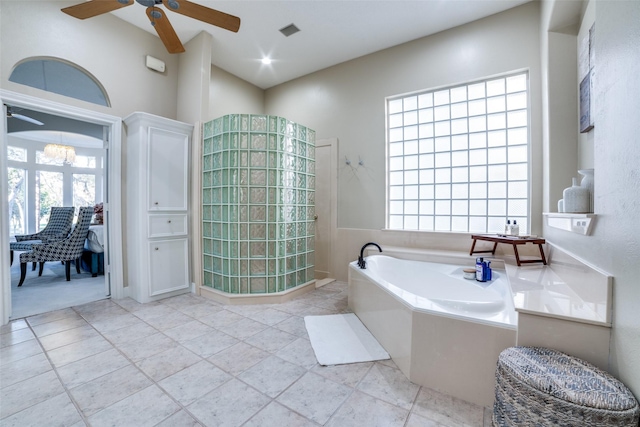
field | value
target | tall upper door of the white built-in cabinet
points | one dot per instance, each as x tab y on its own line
168	168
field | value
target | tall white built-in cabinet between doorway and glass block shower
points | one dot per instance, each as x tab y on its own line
157	208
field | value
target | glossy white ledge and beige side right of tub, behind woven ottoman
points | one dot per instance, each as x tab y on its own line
565	305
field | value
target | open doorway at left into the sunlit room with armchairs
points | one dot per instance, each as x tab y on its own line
50	165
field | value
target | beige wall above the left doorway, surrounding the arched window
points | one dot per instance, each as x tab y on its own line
107	47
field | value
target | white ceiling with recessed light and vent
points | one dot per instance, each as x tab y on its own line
331	31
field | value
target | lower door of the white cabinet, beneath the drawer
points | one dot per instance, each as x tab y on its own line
168	266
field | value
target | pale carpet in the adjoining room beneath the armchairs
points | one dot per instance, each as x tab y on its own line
51	291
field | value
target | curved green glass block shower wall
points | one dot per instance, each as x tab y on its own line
258	204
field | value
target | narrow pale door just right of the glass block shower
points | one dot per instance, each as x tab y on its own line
326	208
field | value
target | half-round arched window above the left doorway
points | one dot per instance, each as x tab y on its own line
61	77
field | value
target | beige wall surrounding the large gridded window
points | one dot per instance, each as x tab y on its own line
347	101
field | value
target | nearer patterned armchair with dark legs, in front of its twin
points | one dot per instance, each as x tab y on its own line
66	250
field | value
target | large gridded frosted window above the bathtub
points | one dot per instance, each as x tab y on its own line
458	157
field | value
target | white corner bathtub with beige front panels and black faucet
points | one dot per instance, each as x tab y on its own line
443	331
